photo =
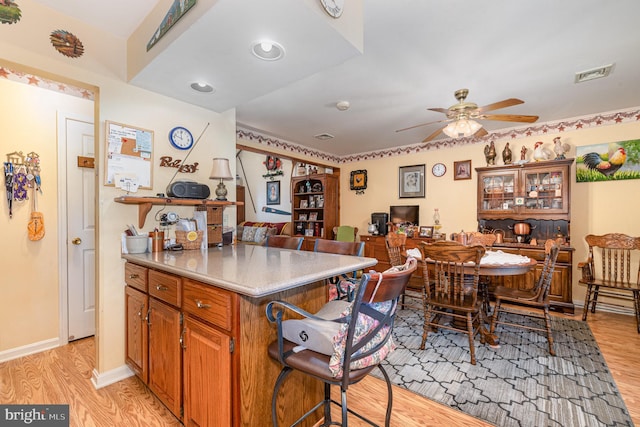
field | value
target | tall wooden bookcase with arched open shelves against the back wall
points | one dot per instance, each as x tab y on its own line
315	207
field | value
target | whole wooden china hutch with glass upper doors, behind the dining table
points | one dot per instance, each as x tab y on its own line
540	194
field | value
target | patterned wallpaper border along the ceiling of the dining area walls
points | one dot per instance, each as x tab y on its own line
569	125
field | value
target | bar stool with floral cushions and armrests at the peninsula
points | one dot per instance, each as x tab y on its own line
339	348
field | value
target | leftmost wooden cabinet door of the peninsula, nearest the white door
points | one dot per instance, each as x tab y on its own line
136	305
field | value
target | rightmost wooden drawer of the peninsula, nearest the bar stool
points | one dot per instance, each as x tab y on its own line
211	304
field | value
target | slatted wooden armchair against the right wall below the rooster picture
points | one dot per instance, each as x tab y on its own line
611	271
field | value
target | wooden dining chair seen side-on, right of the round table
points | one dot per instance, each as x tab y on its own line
532	303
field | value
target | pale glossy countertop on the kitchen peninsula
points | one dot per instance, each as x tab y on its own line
251	270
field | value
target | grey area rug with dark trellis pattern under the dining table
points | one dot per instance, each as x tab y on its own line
517	384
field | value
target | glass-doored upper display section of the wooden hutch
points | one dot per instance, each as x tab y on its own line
538	190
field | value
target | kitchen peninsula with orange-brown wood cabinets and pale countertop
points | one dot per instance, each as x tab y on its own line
202	345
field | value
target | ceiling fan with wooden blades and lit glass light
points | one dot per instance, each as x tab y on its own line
463	115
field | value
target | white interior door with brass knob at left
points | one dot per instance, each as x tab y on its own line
80	225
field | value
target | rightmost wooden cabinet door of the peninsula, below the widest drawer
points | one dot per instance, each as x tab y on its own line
207	375
